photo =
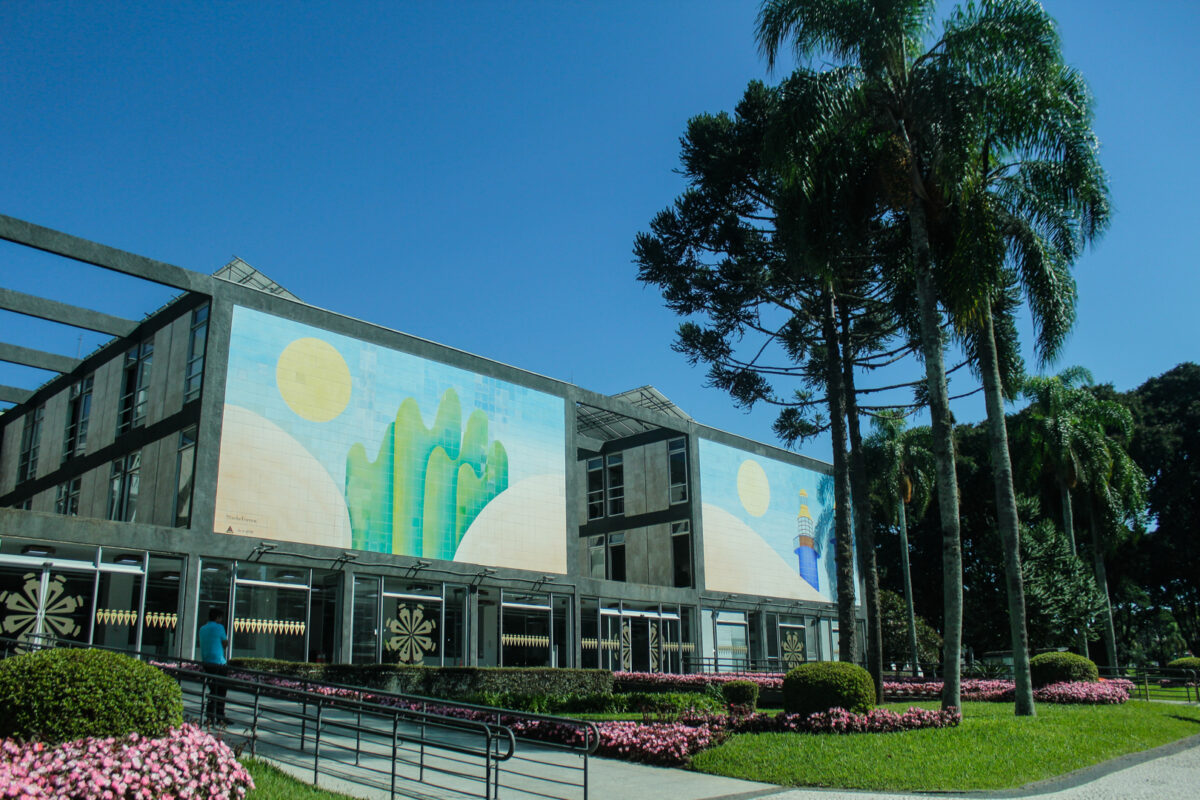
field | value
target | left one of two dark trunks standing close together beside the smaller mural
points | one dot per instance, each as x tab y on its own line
844	554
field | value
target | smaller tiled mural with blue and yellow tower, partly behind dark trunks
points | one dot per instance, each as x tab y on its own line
769	526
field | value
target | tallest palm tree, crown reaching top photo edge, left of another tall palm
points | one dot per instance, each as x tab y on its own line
921	99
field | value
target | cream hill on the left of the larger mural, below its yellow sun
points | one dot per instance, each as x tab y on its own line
269	485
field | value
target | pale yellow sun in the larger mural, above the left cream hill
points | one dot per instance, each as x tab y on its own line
314	380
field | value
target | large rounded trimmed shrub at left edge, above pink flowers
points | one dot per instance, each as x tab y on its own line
56	696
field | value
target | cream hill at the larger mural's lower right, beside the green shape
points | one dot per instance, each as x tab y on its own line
523	528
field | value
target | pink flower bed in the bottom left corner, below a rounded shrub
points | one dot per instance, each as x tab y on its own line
187	763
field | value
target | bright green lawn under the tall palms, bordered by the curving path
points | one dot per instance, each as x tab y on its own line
991	750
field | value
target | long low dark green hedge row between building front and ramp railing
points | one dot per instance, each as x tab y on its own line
457	683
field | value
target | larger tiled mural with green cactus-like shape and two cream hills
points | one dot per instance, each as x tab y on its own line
332	441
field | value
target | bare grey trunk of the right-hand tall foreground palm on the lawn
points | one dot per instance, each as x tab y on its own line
1006	516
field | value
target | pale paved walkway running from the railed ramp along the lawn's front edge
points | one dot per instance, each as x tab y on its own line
1167	773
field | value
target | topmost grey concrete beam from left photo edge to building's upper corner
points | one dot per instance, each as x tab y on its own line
89	252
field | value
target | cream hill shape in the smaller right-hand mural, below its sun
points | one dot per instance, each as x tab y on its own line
737	560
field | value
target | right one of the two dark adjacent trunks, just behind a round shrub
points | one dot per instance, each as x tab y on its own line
865	524
